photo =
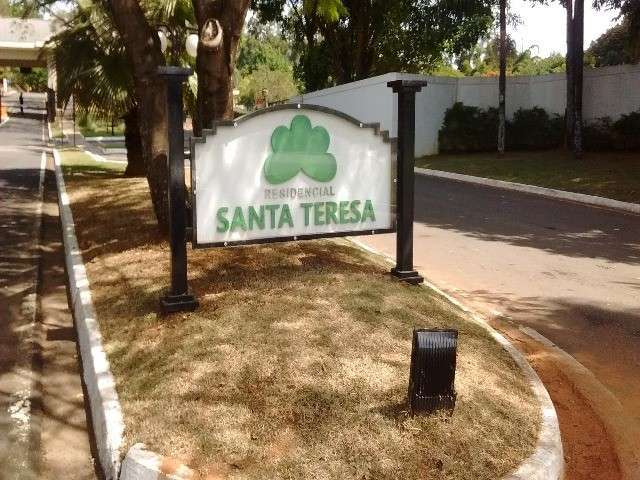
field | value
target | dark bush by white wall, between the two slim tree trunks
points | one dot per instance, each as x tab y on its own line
534	129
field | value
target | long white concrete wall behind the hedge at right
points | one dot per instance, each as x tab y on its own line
608	91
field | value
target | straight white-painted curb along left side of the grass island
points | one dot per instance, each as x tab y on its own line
106	414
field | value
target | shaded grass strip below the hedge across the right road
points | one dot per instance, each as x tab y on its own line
612	174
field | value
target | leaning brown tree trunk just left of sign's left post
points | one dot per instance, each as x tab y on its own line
143	49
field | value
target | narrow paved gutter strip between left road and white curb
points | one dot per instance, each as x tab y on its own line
65	450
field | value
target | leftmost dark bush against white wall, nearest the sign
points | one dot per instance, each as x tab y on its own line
468	129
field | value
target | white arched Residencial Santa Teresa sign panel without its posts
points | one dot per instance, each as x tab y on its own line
291	172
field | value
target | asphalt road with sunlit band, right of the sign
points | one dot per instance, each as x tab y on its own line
571	272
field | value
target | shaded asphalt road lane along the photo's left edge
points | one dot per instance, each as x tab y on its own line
21	144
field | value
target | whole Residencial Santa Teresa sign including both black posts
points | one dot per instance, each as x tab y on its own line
289	172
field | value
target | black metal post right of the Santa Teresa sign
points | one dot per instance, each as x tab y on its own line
406	90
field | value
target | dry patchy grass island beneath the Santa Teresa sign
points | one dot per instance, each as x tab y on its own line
296	363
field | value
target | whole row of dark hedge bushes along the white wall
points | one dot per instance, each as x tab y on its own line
475	129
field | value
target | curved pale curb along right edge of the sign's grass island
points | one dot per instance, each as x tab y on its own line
547	461
